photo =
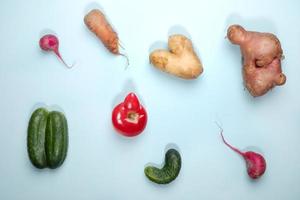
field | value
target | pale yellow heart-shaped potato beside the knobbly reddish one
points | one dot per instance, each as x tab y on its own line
180	60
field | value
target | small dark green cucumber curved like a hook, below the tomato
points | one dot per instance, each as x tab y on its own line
170	170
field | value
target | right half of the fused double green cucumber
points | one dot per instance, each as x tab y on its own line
56	139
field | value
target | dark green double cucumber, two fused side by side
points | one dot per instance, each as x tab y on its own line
47	140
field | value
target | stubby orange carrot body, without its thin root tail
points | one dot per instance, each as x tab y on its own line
98	24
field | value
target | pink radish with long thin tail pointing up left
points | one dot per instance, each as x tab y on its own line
256	164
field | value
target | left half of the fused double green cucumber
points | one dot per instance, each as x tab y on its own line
36	138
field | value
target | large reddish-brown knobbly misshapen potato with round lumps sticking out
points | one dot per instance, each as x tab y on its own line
262	54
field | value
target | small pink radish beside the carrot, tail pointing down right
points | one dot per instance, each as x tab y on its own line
50	43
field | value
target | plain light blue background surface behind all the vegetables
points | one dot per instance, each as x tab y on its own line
103	165
